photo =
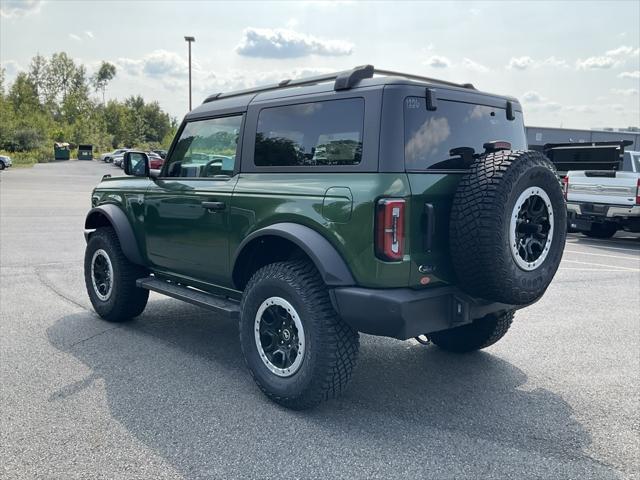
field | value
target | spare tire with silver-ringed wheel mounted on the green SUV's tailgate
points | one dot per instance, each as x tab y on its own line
508	227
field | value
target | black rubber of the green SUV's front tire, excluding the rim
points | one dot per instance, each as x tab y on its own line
126	300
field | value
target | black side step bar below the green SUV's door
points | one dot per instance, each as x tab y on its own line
202	299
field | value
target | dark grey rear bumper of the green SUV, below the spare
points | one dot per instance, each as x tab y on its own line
405	313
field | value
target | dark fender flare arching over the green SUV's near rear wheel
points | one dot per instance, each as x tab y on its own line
325	257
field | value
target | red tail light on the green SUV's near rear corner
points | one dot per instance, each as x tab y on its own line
390	229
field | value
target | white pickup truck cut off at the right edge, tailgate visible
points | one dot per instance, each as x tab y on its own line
601	202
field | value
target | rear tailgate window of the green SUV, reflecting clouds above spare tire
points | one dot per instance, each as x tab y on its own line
442	139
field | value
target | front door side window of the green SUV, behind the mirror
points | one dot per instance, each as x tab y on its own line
206	149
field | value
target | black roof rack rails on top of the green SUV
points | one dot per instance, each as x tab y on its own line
343	81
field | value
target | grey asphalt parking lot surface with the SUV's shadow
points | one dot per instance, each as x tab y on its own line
167	396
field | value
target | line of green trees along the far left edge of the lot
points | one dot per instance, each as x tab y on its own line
51	102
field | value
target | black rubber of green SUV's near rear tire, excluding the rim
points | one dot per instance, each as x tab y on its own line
331	348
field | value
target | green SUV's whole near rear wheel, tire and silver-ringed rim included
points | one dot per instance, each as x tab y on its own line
296	347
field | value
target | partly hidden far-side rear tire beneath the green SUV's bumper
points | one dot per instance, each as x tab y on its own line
482	333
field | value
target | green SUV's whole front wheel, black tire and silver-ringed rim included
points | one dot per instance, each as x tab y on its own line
110	278
